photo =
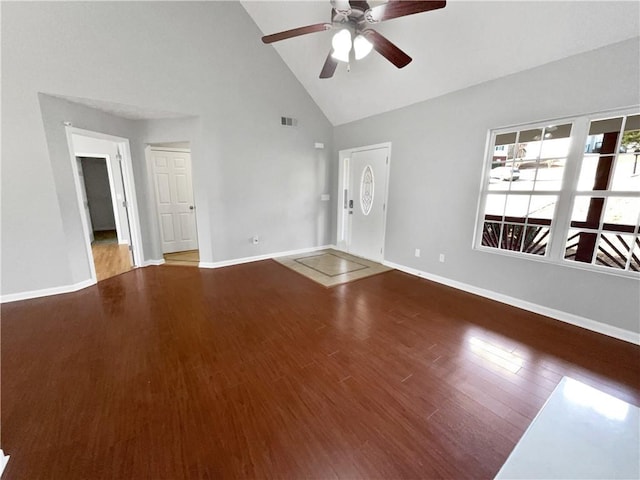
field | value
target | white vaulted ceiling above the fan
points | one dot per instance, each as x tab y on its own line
466	43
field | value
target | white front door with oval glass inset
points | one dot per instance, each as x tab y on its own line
368	173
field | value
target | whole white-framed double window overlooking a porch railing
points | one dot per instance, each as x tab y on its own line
565	191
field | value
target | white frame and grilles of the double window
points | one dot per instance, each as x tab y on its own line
560	226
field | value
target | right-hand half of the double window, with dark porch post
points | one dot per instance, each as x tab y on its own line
604	219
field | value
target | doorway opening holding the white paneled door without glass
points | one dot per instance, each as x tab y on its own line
171	171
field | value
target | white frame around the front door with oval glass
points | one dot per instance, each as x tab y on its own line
343	225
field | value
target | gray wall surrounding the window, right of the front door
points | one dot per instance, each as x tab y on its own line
436	162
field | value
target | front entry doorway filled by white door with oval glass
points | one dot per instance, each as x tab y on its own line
362	211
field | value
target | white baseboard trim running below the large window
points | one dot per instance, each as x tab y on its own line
609	330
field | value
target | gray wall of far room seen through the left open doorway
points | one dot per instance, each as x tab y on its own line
96	181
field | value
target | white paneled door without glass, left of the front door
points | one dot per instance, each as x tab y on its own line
174	199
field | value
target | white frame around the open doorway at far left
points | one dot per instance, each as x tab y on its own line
126	167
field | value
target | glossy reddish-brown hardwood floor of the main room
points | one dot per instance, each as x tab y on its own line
253	371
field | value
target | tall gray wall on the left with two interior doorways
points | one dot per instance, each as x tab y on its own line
251	175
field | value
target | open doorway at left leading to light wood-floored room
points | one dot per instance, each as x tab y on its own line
105	190
